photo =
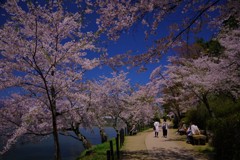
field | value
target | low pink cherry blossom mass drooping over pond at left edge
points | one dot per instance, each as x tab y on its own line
18	119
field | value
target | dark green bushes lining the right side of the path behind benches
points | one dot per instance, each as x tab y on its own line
225	126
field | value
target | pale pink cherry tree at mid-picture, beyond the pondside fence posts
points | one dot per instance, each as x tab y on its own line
113	93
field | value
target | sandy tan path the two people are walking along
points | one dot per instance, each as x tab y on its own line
144	146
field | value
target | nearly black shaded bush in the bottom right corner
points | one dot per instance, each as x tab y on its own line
226	139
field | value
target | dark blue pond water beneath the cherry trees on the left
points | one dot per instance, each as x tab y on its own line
44	150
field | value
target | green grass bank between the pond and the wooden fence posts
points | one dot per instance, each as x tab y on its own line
98	152
